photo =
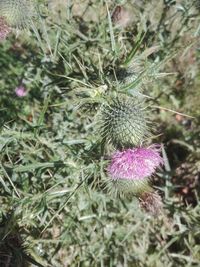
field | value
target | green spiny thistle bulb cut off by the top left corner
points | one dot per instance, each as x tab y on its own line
17	13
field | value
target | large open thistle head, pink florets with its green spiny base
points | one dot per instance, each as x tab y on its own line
130	170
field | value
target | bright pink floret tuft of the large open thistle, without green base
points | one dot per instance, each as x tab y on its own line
135	164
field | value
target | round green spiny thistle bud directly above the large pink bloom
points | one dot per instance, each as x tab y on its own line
124	123
